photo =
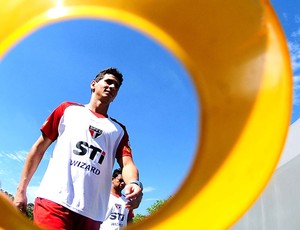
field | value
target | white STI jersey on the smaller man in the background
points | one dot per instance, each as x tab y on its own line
116	215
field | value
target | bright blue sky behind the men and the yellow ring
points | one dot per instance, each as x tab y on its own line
157	101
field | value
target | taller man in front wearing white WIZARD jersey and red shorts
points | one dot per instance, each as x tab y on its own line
75	190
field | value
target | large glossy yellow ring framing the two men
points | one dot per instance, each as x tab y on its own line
237	56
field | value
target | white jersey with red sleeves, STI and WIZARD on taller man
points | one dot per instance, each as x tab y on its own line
79	172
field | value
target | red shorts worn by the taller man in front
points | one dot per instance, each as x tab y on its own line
50	215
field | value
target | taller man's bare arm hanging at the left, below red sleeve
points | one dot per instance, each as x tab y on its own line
33	160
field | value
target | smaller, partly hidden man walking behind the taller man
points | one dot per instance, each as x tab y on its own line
117	215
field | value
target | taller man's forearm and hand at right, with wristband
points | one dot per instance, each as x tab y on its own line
132	191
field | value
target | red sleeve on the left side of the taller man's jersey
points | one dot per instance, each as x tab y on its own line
50	126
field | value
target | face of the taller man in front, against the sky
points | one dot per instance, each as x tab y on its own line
107	88
